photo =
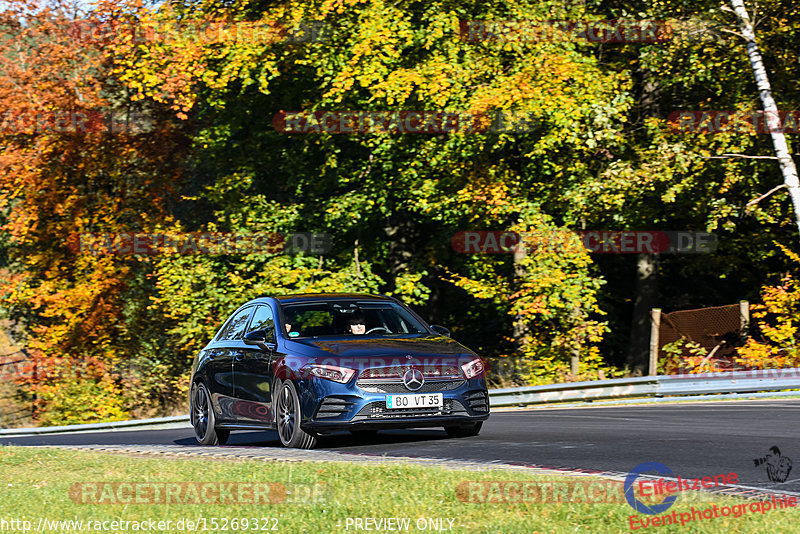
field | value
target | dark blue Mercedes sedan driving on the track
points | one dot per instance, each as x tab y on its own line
313	364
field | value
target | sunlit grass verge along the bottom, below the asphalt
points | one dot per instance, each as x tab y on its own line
62	484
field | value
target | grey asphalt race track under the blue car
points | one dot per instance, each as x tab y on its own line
694	440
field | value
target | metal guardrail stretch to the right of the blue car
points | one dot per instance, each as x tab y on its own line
649	386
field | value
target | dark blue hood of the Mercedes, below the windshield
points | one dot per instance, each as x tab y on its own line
416	347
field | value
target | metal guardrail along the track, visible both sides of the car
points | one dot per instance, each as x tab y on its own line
618	388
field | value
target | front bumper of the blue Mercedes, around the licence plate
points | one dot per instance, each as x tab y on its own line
330	406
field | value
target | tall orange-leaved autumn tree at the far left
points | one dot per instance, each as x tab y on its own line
77	159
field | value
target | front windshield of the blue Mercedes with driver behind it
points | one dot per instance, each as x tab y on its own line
338	319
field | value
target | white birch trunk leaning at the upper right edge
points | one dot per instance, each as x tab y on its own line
788	169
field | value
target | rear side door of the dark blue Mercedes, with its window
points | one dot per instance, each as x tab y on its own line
221	372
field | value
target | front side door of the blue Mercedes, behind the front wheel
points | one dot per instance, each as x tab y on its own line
252	373
